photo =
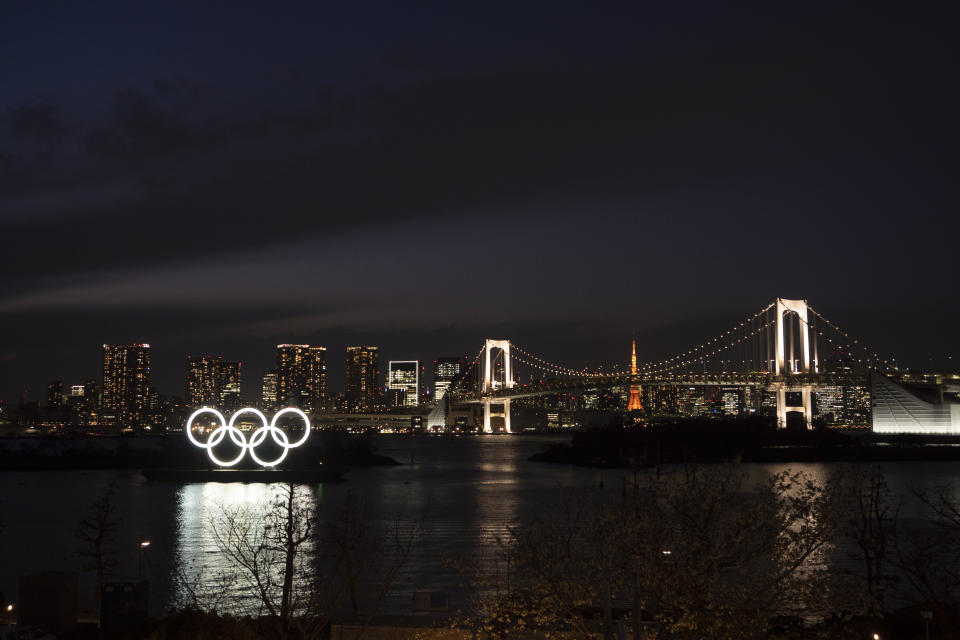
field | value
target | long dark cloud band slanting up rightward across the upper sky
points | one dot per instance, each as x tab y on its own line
812	104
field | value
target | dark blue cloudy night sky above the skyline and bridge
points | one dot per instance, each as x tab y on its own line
221	177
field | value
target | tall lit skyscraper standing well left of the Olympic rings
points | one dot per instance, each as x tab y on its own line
126	384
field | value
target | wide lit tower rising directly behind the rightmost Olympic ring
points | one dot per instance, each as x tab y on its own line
301	376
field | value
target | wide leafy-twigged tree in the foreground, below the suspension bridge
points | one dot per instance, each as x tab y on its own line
697	552
